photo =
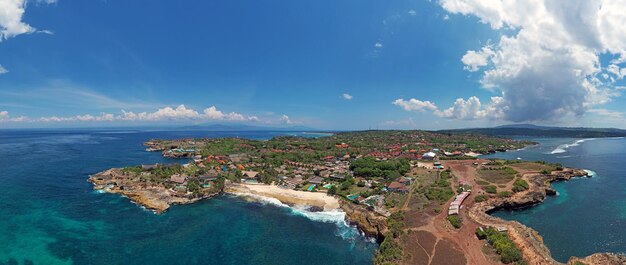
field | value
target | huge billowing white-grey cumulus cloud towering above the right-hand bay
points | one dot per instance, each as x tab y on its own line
546	64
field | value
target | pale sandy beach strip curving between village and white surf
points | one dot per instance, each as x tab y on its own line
287	196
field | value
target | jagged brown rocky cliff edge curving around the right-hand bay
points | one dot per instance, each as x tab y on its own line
530	241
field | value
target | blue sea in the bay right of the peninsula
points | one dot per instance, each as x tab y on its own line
589	214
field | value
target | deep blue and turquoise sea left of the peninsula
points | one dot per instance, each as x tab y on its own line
49	213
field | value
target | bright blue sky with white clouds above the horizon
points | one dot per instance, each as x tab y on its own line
325	64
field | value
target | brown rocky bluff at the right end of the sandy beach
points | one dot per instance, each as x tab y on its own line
369	222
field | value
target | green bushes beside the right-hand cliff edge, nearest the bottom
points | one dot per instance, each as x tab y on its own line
503	245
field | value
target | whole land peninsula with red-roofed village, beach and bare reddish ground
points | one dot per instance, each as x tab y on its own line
425	196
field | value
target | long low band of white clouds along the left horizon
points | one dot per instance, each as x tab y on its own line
179	113
